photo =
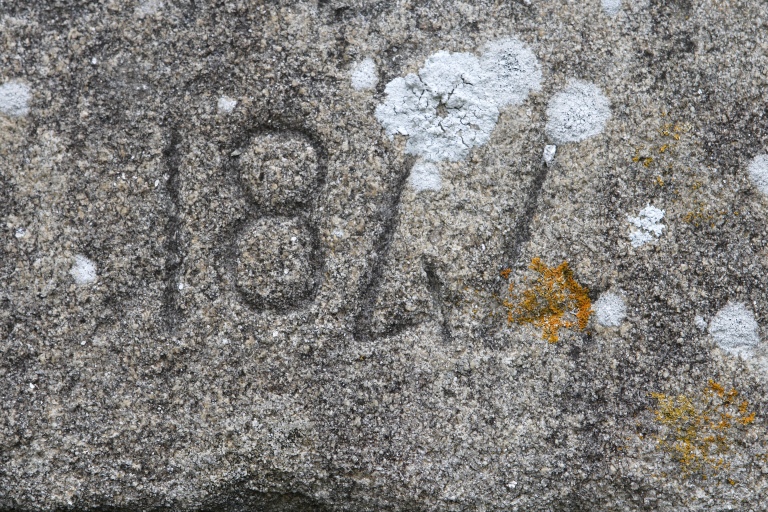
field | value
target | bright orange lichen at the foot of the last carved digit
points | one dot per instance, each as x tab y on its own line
553	301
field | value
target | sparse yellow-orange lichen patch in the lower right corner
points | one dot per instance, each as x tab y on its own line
701	433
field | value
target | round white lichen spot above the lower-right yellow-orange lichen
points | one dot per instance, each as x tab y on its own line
734	329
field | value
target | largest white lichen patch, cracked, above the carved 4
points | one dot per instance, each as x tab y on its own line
453	103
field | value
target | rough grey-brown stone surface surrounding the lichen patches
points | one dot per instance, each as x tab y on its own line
388	378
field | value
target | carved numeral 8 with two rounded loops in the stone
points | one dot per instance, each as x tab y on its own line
277	250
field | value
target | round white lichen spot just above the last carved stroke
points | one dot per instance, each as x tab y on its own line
577	113
